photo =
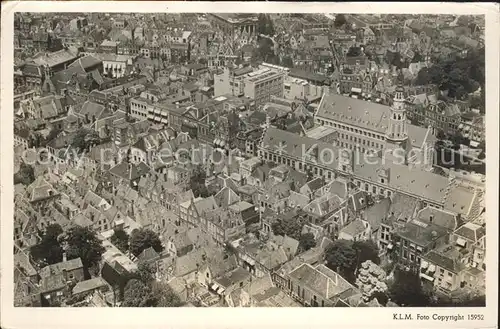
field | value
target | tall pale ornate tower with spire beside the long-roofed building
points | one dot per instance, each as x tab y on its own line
397	130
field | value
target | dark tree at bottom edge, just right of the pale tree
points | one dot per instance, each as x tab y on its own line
406	290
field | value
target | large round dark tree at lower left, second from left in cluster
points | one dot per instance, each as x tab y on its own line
82	242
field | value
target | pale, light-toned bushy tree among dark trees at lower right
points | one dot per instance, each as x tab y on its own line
371	280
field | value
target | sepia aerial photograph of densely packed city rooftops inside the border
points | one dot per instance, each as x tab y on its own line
249	160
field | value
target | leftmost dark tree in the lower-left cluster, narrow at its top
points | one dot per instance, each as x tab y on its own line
49	250
